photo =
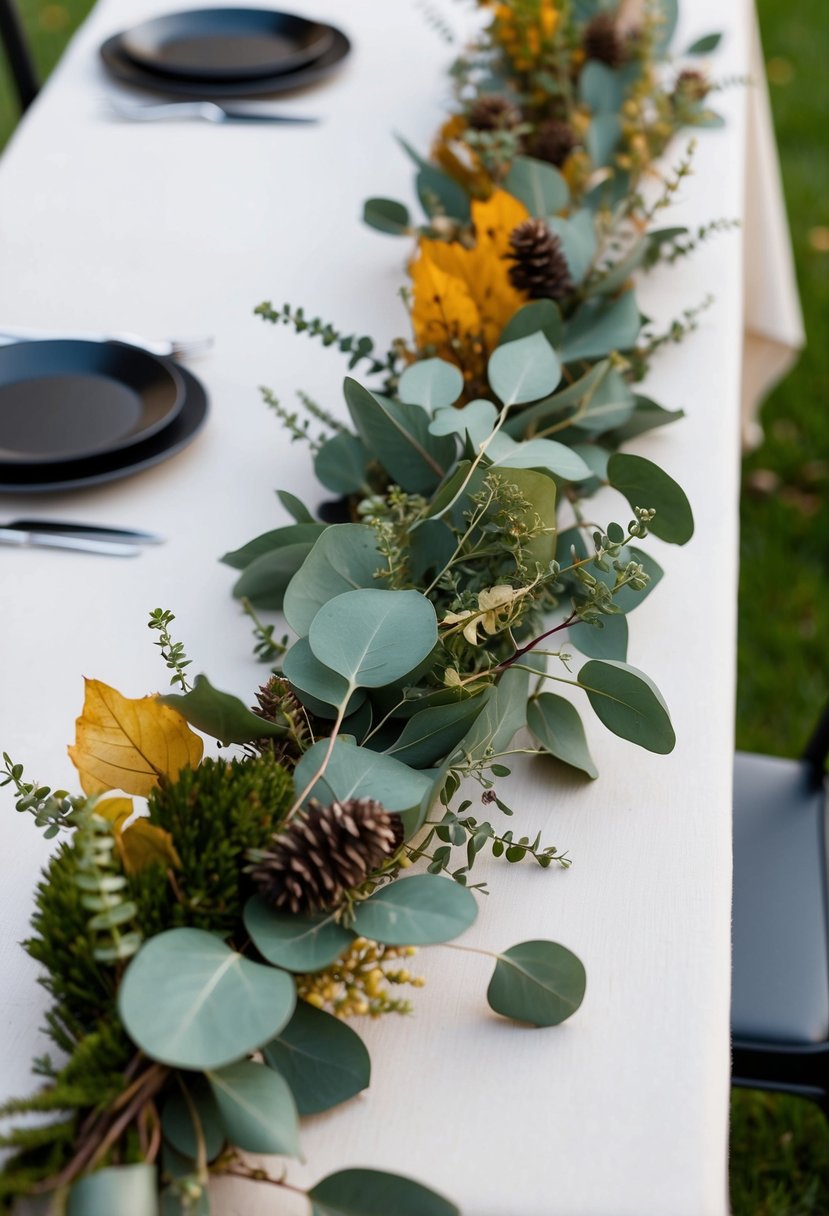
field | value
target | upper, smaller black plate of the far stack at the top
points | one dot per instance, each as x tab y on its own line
227	44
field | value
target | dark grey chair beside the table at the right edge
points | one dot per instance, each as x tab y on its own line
781	994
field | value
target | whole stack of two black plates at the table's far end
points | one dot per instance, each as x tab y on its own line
210	54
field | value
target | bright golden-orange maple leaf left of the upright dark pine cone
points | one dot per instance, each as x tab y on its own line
463	299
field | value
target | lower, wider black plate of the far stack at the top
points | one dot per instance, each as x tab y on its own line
122	67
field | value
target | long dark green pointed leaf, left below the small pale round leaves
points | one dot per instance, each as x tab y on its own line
398	435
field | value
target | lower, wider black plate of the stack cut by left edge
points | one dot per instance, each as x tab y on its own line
111	466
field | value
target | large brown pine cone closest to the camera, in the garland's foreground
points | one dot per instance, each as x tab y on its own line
324	853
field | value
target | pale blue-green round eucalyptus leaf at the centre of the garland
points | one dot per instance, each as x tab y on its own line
375	638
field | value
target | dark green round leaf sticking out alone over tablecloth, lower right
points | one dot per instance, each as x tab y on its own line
538	982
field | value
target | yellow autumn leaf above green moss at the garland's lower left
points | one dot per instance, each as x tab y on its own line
129	745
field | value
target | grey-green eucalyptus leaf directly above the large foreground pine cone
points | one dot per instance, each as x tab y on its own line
359	773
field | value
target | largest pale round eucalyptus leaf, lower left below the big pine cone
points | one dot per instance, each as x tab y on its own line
190	1001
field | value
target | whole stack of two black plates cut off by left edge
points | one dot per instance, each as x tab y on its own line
76	414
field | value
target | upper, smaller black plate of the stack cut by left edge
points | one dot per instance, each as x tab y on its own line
66	401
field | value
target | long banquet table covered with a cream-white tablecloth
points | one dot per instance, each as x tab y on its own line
183	229
